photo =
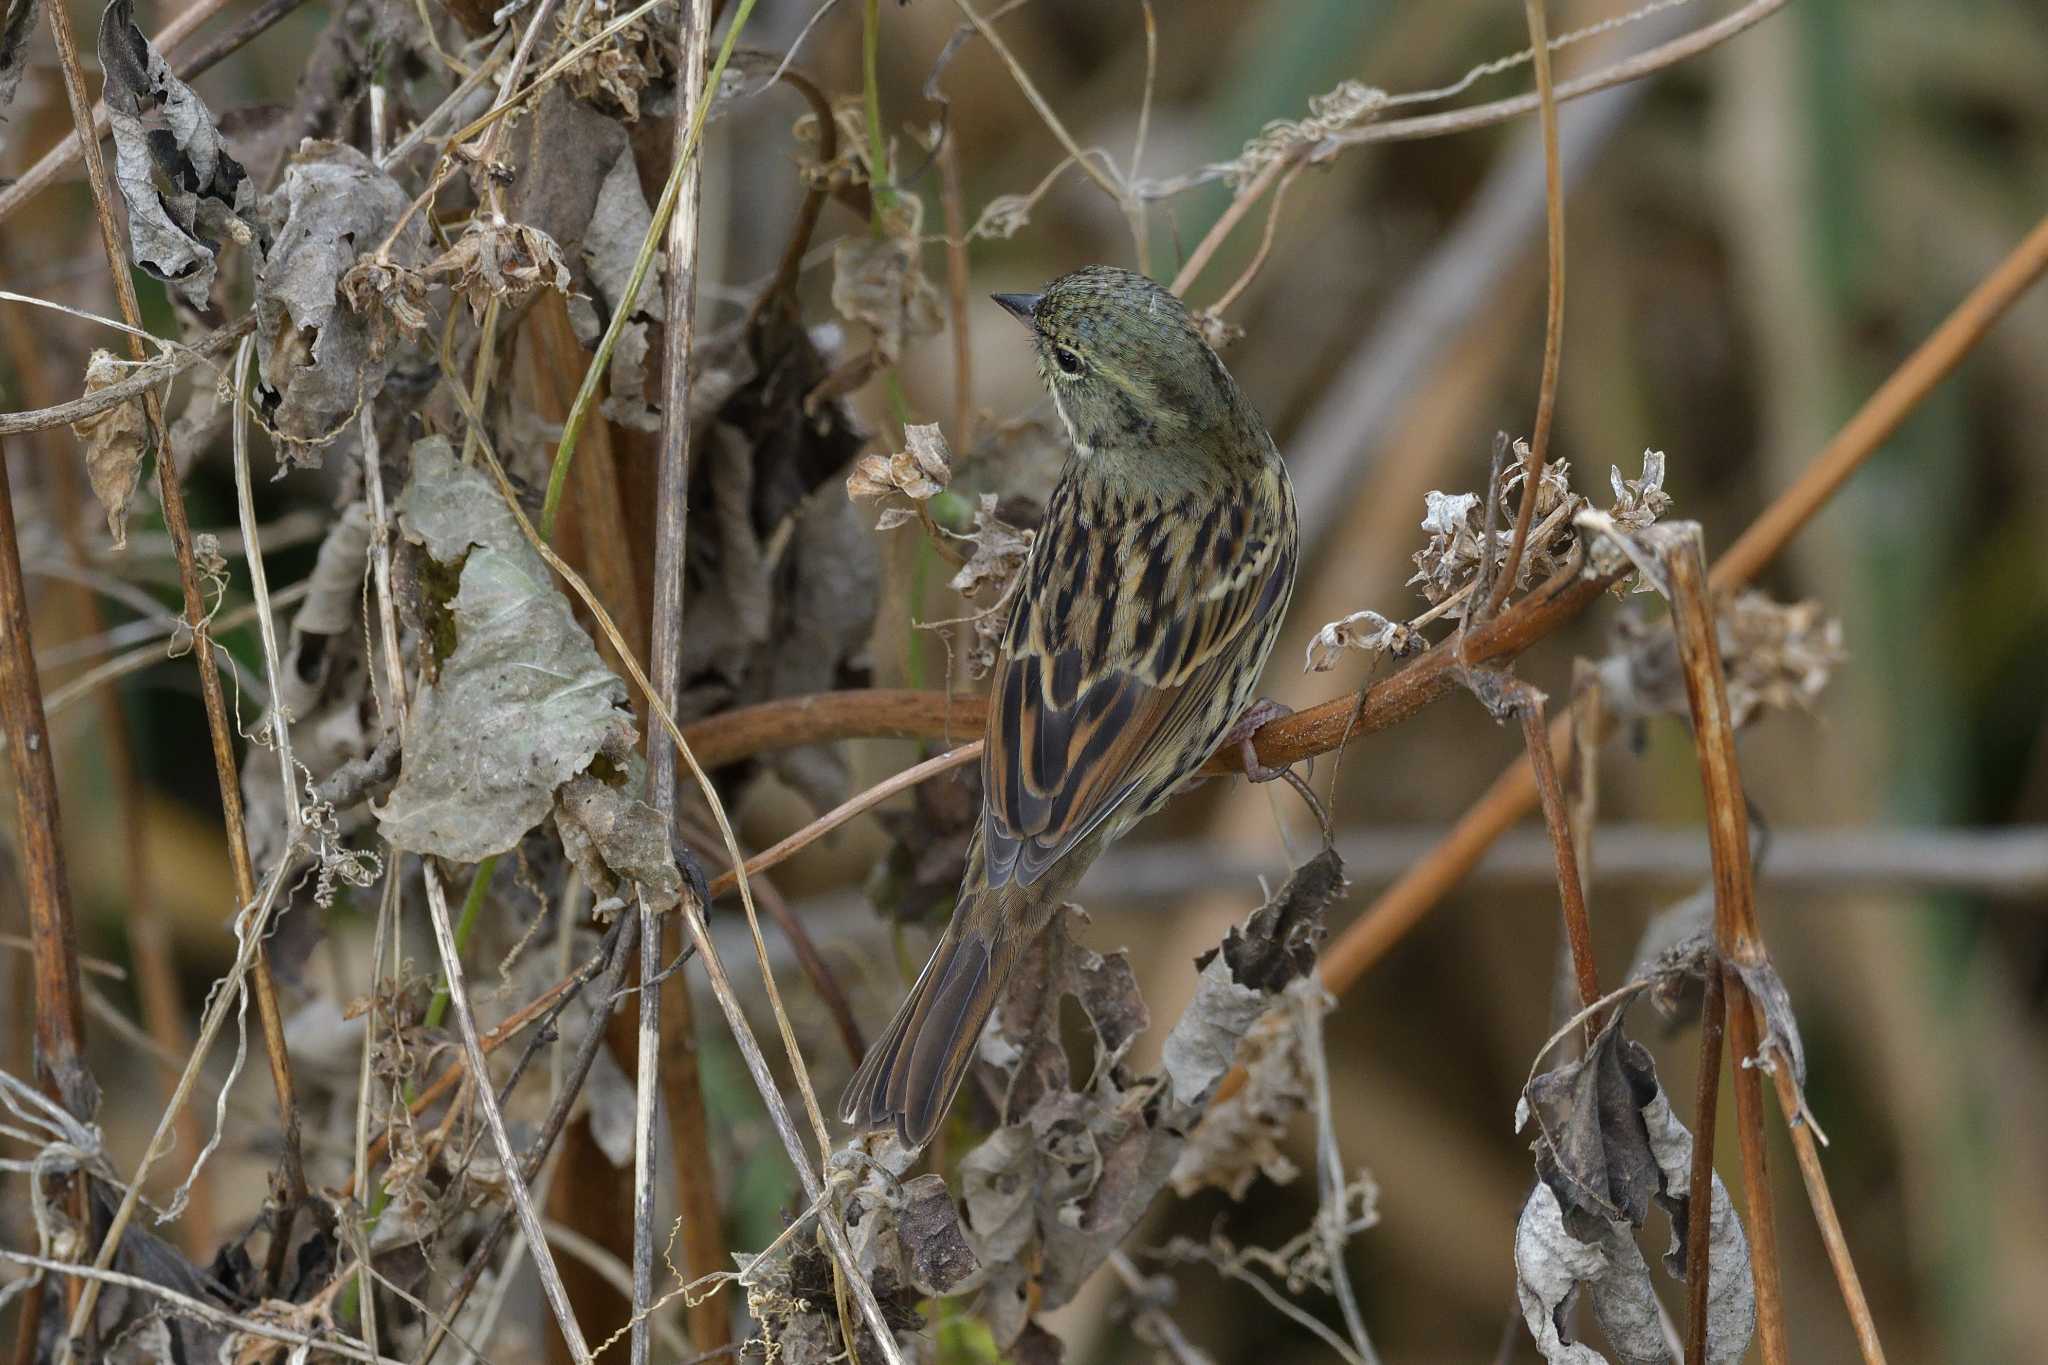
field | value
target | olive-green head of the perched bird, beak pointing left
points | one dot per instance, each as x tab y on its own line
1125	365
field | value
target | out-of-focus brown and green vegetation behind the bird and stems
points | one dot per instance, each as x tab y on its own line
1756	240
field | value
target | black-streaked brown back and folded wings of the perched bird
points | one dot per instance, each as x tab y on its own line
1117	668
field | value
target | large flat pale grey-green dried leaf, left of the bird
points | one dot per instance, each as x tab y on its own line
521	705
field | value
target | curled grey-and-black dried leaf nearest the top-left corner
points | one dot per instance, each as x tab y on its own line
183	191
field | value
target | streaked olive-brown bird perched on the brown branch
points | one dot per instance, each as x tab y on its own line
1148	607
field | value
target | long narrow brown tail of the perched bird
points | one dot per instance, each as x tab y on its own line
914	1069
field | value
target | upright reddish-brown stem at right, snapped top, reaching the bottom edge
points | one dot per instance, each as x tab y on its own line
1738	940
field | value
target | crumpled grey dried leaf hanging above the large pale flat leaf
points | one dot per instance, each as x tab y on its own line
314	357
